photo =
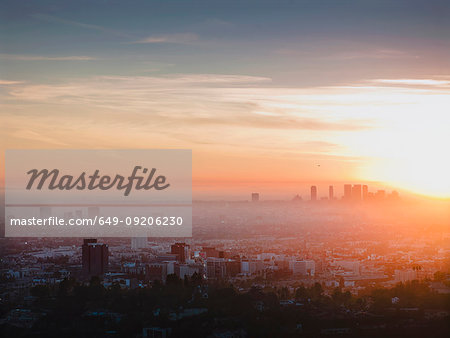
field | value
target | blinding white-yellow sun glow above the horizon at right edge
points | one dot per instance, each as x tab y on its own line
409	150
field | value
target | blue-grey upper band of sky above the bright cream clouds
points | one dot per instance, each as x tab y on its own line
298	43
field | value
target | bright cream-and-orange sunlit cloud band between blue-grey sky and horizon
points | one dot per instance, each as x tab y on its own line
364	132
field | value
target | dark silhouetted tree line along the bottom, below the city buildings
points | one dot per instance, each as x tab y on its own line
75	309
